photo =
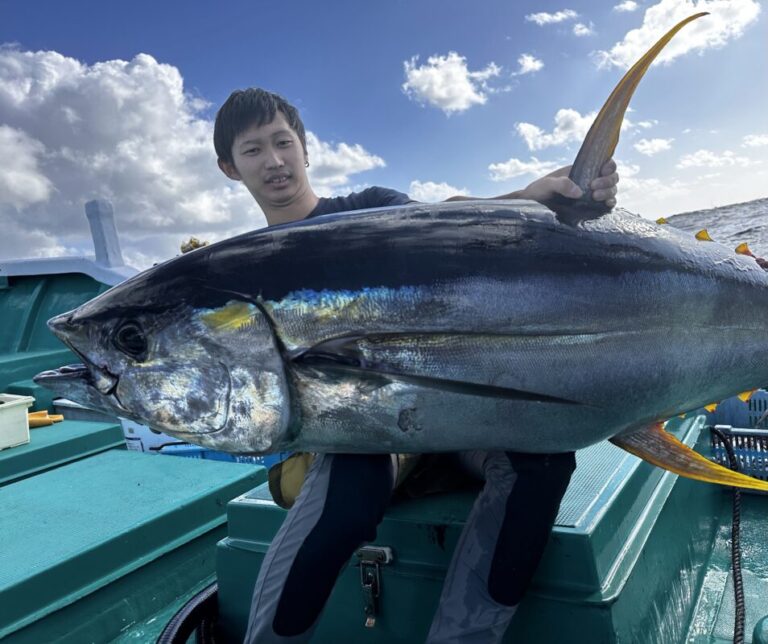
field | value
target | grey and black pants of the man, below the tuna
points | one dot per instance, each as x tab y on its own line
343	500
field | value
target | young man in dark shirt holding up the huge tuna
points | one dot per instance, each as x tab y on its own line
260	141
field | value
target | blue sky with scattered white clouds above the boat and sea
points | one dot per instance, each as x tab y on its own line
429	97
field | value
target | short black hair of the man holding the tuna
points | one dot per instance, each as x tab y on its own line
247	107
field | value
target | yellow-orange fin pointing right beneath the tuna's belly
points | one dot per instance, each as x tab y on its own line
661	448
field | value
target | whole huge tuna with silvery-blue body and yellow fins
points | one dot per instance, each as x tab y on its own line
495	325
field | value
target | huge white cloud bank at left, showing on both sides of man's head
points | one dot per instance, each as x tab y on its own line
126	131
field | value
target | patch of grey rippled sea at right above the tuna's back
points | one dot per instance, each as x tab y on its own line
730	225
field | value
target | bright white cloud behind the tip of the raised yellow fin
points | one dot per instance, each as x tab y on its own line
727	21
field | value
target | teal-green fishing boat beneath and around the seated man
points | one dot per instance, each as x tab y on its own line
105	540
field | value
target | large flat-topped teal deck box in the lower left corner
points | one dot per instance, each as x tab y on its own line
95	545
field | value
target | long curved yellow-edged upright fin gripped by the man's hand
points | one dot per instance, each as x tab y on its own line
603	136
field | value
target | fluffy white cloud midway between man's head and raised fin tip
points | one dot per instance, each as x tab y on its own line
446	83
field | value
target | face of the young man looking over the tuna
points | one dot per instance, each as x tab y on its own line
270	161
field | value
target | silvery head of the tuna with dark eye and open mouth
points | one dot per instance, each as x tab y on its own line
208	375
